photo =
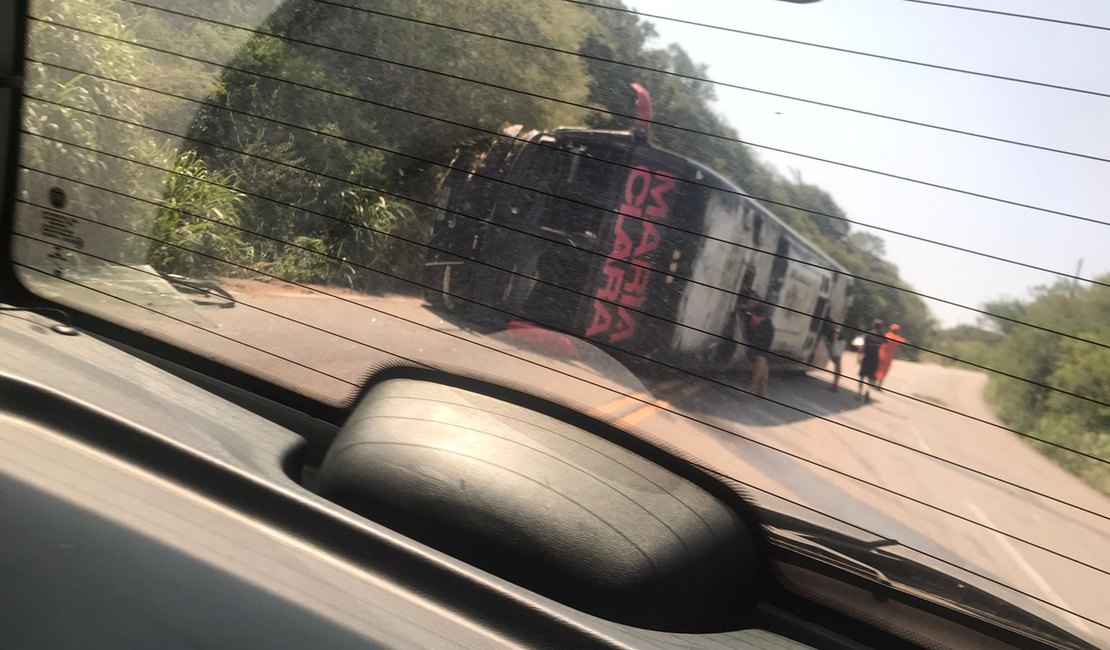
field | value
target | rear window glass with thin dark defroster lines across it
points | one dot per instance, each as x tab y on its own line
847	255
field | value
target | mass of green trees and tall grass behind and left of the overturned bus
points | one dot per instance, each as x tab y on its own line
269	174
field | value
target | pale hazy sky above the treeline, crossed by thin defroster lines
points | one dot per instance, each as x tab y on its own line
1045	53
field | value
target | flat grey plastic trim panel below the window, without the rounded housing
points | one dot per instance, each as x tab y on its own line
142	511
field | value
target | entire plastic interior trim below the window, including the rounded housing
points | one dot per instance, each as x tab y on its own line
148	507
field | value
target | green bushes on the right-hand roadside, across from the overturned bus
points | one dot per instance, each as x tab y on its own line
1048	359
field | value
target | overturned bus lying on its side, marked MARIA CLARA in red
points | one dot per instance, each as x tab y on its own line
606	237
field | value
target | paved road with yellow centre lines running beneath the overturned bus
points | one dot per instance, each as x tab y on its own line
823	450
